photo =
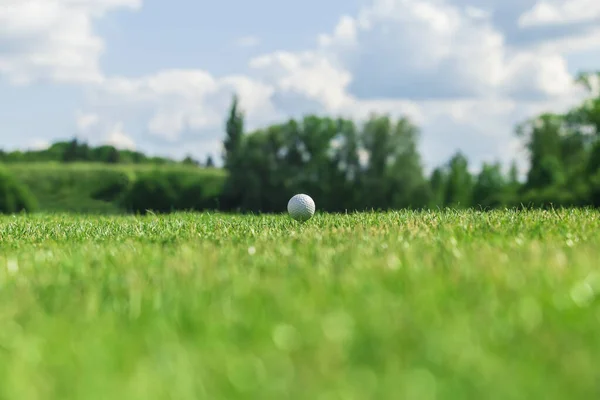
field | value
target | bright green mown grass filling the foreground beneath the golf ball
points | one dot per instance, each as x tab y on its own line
437	305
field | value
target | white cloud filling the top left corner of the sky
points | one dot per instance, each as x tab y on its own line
53	39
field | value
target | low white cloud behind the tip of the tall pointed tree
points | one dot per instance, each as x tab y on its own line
178	101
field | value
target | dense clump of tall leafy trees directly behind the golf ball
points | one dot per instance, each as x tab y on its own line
343	167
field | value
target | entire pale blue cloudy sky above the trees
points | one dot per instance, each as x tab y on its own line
158	76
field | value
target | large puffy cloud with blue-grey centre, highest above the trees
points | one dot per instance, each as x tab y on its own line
428	49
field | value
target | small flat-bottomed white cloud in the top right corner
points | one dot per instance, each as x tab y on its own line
557	12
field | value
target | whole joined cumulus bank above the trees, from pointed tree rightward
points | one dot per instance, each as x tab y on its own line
446	66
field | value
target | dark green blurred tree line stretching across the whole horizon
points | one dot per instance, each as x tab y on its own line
374	165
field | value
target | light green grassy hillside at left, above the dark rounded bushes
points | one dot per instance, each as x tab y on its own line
81	187
